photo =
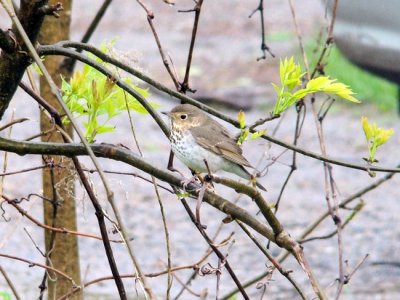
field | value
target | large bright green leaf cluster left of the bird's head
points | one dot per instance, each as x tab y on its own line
92	95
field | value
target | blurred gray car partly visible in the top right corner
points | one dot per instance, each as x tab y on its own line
368	34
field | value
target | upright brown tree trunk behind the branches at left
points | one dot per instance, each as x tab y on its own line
58	183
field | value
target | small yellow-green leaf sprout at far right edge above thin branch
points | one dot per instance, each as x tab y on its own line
375	137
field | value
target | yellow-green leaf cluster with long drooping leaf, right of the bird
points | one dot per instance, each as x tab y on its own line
289	91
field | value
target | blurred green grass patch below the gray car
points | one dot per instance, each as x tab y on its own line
368	87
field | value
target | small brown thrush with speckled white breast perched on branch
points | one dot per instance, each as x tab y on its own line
196	137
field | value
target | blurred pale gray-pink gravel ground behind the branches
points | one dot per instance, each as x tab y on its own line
224	64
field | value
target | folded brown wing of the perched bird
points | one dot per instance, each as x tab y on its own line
215	138
